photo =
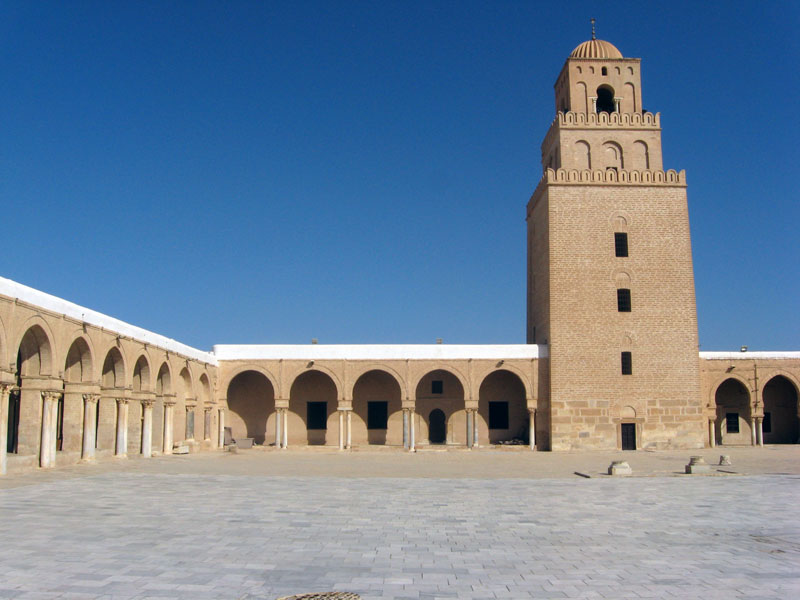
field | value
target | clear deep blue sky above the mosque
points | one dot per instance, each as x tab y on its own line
257	172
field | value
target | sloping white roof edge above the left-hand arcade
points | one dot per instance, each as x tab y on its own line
12	289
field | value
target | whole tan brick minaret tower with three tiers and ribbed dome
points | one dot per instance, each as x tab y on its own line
610	276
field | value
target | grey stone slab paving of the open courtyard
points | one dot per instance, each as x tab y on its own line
128	535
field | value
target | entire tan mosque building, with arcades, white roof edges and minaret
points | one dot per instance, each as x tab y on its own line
611	361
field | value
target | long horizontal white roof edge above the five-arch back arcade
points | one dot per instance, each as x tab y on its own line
377	351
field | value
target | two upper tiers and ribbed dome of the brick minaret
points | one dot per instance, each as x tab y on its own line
600	123
